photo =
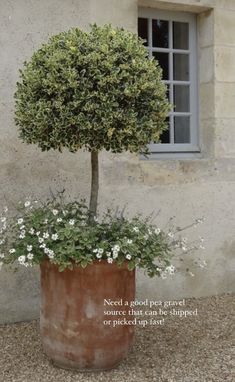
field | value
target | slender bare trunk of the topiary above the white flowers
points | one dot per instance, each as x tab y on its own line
94	184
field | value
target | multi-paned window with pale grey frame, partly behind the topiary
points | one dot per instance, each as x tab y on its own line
171	39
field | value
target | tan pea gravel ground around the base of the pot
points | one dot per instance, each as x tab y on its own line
193	349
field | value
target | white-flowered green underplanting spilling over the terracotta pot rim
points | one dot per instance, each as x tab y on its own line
63	234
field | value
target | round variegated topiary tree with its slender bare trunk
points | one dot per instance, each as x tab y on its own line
94	90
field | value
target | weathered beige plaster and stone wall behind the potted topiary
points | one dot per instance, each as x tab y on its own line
185	188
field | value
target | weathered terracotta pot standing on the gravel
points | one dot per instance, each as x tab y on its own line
72	314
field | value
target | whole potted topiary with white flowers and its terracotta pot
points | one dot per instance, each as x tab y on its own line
93	90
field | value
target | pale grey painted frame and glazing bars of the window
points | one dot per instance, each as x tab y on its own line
171	16
